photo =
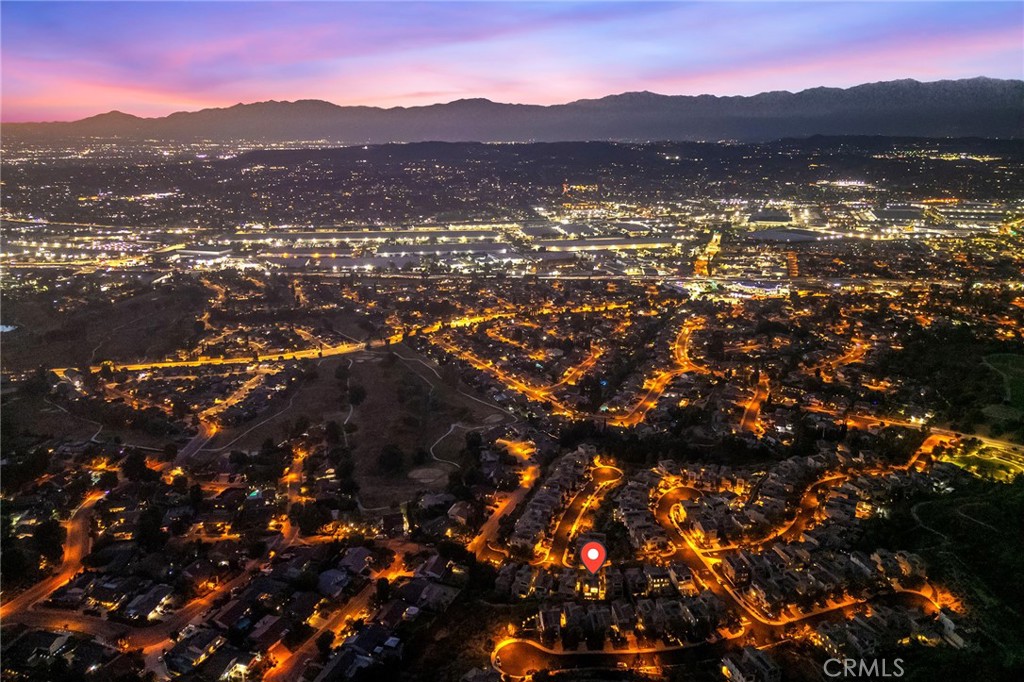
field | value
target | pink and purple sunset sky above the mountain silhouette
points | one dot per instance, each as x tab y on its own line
69	61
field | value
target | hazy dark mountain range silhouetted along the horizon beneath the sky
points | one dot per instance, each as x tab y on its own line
978	107
